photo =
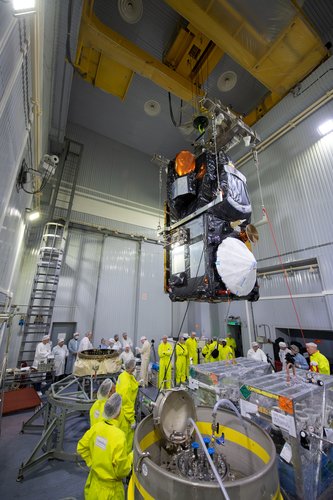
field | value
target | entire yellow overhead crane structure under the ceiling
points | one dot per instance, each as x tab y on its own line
108	60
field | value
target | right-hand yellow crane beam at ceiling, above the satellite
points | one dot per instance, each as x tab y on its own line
278	65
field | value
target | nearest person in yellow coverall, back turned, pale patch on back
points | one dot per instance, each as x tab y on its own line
104	449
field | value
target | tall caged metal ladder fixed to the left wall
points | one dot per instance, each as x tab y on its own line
52	249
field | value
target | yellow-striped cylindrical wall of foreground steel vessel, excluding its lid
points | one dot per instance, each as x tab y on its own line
248	449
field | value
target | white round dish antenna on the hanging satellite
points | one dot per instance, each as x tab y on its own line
237	266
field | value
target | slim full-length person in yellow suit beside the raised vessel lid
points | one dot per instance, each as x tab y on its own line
127	386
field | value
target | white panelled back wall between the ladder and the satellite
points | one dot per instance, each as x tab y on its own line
112	285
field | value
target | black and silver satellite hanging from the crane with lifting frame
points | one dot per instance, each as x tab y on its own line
208	231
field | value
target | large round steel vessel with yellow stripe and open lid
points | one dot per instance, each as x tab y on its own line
248	451
